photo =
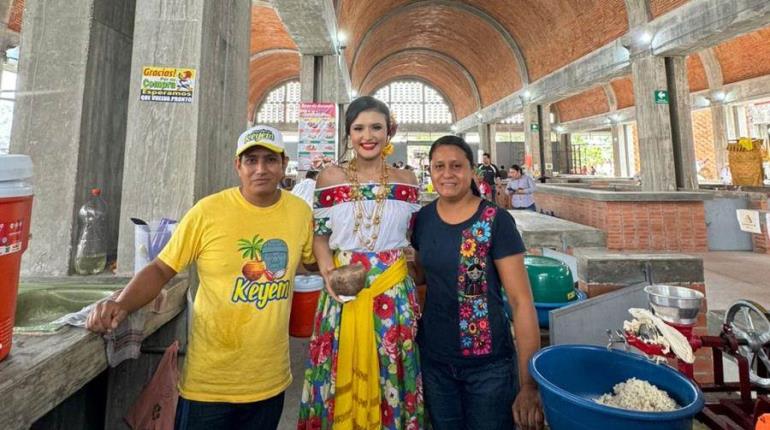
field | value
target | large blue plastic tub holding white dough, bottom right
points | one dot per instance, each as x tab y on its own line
571	376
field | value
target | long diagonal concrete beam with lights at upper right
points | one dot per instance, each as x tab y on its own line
690	28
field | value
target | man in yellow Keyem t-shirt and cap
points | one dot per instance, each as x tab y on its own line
246	242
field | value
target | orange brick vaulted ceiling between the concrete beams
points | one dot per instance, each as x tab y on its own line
475	51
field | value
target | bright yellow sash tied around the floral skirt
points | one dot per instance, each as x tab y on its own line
357	394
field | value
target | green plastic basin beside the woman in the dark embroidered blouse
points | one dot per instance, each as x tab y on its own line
550	279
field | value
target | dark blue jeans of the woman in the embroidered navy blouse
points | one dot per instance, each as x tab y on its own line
470	398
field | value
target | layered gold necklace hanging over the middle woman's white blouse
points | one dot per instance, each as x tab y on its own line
367	223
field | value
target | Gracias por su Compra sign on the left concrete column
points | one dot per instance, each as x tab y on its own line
167	84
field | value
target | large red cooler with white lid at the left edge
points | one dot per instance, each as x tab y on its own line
15	214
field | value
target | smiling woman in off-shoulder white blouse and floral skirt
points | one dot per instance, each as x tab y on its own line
363	367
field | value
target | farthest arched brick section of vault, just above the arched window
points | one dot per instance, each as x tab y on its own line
433	70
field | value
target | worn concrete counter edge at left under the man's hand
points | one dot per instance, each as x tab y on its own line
42	371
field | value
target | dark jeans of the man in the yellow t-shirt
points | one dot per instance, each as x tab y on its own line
265	414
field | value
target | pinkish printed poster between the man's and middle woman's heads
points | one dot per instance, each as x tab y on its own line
317	145
